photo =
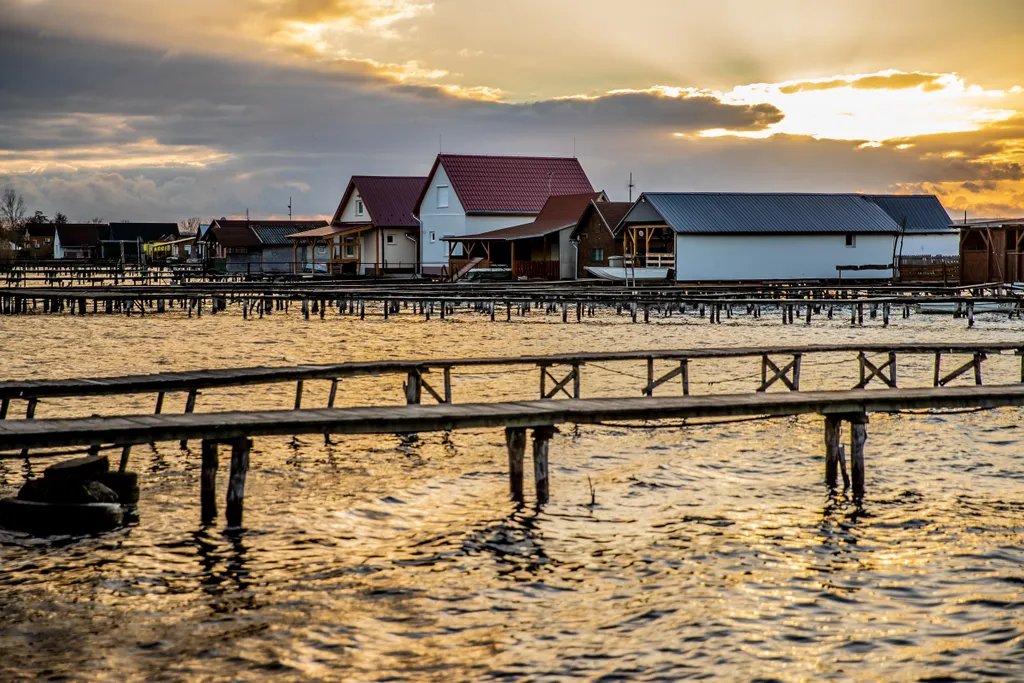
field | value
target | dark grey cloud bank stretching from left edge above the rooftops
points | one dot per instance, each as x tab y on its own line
280	131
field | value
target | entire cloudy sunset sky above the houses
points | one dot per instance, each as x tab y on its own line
151	110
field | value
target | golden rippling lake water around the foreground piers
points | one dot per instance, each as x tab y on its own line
710	552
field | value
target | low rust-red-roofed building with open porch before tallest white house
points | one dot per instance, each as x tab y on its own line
538	250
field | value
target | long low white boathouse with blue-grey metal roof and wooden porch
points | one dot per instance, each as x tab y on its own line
723	237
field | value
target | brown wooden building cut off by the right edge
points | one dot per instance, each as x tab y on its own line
993	251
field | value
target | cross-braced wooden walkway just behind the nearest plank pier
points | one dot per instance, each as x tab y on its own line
560	375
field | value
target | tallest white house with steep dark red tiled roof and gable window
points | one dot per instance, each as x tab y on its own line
472	195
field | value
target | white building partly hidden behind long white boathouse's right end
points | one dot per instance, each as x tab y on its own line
926	229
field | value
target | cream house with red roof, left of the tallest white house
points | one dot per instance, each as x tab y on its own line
374	231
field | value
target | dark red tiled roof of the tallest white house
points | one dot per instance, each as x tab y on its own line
510	185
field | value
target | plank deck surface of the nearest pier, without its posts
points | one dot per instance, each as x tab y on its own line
19	435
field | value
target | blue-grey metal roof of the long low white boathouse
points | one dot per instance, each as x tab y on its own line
726	214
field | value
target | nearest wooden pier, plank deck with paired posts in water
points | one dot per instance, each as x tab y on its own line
543	417
